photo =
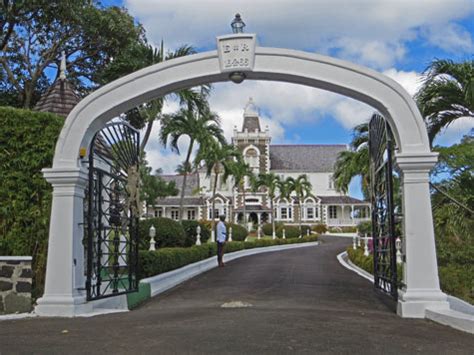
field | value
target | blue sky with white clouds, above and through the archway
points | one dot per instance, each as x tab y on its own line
396	37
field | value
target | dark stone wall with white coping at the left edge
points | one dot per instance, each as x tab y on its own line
15	284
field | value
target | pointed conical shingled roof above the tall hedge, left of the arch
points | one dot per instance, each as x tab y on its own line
59	99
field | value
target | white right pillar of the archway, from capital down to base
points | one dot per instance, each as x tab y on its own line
421	288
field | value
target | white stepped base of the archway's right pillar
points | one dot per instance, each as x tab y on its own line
414	303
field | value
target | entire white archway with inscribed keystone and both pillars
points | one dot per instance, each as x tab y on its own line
238	53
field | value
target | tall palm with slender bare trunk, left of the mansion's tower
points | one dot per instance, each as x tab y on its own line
198	126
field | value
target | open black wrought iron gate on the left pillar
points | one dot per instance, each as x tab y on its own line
112	212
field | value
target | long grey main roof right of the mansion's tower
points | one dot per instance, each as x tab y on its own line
316	158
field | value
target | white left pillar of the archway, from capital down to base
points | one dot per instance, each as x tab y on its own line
63	295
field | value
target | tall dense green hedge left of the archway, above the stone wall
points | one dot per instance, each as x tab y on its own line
28	140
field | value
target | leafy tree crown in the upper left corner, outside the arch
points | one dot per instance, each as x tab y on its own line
37	32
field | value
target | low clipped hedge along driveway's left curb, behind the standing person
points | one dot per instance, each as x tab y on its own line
152	263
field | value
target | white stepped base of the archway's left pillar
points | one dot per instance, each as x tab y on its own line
67	306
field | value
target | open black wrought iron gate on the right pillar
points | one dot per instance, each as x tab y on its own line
383	218
